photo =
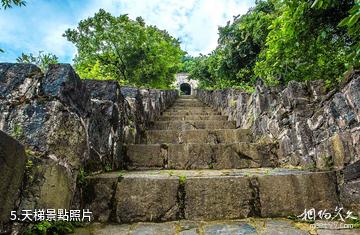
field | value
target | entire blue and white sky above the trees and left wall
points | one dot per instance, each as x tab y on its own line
39	26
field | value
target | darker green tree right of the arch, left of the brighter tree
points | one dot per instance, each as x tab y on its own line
242	41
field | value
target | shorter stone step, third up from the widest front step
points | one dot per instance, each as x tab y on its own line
213	136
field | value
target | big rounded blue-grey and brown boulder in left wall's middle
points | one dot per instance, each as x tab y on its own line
49	127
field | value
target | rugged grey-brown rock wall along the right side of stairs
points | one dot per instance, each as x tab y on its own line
312	128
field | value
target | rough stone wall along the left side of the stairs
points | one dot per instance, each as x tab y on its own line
69	125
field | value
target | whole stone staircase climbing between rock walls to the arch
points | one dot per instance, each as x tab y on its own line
195	165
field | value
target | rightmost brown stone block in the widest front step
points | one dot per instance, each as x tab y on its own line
283	195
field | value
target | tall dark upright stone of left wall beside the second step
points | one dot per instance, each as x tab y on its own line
106	124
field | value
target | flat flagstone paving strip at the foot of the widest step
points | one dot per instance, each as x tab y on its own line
250	226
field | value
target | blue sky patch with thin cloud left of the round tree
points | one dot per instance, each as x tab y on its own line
36	27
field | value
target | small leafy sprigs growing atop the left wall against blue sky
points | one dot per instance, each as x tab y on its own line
43	60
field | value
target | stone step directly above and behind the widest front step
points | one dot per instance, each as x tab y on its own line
200	156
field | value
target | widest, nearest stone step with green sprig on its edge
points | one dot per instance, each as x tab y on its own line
165	195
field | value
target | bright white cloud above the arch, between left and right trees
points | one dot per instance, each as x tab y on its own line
195	22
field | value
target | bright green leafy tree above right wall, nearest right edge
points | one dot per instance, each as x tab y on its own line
305	43
